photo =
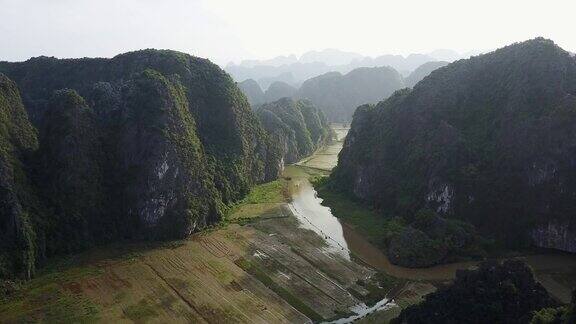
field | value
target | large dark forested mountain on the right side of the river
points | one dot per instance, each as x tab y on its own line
490	140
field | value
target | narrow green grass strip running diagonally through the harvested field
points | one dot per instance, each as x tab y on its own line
291	299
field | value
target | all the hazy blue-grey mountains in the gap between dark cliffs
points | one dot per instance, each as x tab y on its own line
335	81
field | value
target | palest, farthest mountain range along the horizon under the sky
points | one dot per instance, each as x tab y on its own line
294	70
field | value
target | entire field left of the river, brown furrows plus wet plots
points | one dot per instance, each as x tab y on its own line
271	270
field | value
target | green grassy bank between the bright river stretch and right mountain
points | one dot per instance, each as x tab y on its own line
377	228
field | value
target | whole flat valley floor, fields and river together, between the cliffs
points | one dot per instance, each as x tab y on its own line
280	256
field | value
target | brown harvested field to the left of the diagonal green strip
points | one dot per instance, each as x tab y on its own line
196	281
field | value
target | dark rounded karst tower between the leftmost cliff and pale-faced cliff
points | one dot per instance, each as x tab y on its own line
70	174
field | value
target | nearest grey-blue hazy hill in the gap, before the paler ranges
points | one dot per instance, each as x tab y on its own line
338	95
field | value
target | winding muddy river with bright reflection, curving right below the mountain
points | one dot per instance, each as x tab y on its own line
556	271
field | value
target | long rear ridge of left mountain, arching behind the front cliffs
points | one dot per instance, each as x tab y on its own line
226	126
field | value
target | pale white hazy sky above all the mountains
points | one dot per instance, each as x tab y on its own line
225	30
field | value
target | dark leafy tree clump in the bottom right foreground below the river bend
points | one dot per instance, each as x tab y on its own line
495	293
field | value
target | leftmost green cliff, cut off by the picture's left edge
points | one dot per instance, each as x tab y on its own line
18	249
